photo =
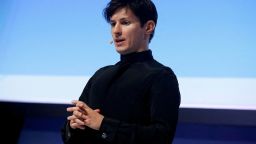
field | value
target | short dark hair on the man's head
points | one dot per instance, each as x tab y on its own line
145	10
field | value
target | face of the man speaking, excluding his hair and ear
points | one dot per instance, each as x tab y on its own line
127	33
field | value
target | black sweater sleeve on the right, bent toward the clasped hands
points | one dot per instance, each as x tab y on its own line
164	104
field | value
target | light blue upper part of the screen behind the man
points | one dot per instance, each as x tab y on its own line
214	38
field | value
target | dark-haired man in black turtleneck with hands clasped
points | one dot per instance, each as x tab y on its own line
135	101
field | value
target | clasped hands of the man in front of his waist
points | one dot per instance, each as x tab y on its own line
83	116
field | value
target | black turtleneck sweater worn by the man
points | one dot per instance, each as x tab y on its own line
139	98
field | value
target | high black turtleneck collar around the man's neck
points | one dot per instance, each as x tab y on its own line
137	56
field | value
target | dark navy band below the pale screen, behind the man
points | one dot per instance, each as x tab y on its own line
30	123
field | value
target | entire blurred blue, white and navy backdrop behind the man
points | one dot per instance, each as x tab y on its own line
50	48
